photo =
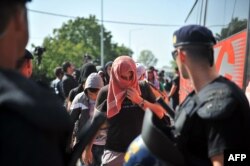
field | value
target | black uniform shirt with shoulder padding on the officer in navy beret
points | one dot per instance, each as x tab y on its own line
216	119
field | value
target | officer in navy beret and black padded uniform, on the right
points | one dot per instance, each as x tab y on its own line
215	116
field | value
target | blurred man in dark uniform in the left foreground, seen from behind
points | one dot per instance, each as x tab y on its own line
35	129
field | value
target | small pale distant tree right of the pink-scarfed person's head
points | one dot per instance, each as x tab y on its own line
147	58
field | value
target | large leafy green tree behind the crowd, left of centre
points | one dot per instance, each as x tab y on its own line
73	40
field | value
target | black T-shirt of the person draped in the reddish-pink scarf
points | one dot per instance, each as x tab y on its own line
126	125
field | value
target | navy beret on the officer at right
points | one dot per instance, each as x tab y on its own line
193	35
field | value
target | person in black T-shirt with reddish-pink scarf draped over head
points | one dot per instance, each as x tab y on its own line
124	105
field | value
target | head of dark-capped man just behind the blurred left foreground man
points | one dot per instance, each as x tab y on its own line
24	64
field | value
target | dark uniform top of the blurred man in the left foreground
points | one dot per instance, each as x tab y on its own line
35	128
